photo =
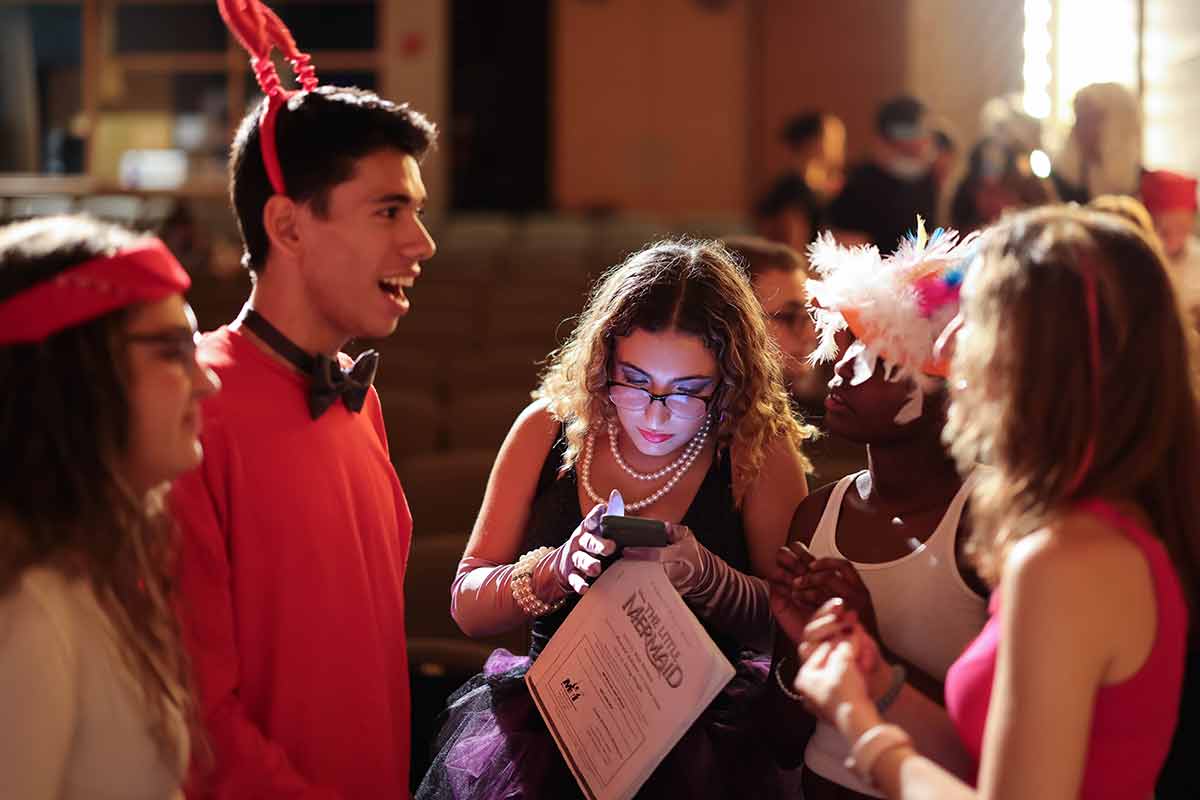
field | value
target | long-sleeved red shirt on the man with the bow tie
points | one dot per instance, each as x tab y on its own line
296	538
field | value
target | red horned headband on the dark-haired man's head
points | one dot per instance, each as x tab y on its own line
259	31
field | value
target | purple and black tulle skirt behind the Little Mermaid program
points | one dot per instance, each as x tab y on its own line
495	745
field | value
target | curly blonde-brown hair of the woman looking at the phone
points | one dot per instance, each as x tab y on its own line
695	287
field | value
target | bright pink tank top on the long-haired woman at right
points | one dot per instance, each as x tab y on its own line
1132	721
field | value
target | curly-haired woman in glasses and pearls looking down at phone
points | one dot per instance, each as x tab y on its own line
670	395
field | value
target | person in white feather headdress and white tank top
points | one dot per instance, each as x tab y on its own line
887	540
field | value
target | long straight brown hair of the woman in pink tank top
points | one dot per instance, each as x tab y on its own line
1022	383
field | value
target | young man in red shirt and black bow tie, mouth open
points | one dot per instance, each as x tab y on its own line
296	531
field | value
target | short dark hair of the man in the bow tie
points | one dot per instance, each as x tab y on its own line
319	136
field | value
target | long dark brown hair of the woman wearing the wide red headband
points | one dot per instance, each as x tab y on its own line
64	501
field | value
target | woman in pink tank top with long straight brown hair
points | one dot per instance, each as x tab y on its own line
1073	377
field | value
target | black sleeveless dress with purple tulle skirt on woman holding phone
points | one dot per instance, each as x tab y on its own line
495	745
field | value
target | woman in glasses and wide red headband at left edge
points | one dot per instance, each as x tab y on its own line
99	413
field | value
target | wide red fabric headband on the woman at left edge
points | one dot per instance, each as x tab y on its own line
82	293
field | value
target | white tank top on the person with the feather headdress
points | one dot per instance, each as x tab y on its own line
926	611
